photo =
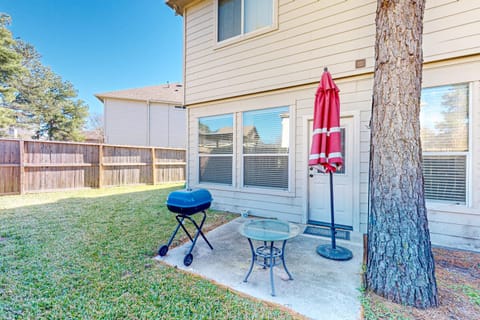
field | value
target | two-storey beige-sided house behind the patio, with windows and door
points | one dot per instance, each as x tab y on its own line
258	63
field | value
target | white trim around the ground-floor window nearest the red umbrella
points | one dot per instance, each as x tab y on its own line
291	151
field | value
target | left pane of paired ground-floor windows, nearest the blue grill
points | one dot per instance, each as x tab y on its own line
215	148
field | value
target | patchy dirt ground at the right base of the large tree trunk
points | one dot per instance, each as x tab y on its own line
458	280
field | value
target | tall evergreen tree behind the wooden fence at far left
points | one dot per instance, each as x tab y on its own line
39	99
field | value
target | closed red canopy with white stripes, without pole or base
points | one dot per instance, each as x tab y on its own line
326	141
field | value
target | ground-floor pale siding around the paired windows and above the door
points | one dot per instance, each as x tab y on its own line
260	202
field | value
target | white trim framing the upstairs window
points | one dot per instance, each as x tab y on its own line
243	36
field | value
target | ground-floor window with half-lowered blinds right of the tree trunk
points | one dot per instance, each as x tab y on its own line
444	119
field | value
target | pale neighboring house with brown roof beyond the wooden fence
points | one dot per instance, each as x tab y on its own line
149	116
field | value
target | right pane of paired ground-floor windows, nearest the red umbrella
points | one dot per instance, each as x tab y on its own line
266	140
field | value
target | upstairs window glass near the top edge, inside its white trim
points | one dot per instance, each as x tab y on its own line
237	17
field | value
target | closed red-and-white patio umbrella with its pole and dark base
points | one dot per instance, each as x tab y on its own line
326	151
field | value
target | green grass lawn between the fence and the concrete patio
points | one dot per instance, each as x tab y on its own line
88	254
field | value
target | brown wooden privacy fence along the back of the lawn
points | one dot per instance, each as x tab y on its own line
29	166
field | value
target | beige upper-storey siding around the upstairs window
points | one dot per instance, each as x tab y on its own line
311	34
